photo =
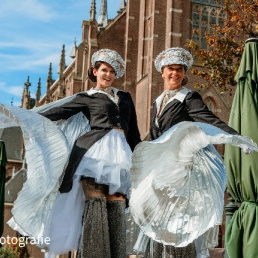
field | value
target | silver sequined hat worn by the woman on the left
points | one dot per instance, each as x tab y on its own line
112	58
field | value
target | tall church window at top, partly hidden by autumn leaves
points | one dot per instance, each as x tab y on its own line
205	13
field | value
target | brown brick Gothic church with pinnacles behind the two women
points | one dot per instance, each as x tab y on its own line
140	31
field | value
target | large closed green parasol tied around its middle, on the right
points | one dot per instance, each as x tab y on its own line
242	169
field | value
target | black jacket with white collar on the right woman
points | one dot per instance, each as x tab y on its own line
189	107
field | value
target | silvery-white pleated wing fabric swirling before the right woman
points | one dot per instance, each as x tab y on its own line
178	183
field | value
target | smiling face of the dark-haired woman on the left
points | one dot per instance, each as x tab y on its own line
105	75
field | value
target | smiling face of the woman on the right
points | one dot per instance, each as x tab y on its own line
173	76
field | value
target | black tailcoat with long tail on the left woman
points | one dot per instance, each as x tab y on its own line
103	115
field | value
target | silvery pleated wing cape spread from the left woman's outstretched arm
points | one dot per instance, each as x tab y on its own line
47	146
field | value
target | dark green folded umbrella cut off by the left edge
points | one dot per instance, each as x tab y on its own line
3	161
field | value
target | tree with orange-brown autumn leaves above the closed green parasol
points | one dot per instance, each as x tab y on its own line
225	44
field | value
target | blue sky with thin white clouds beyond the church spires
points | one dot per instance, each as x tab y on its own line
32	33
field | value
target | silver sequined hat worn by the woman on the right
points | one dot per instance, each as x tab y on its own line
174	55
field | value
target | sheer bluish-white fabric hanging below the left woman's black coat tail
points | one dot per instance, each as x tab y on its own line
64	226
